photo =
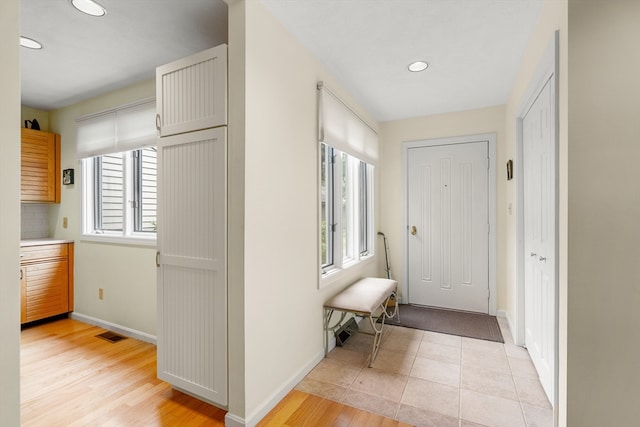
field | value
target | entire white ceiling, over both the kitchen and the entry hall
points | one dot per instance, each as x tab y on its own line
474	47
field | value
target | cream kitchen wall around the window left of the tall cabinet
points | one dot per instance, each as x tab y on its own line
126	273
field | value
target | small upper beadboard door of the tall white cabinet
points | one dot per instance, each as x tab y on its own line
191	93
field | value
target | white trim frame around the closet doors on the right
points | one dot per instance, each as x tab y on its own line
547	69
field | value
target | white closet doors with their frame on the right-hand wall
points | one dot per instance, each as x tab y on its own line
537	224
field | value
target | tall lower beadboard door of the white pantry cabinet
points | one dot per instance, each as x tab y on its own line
192	282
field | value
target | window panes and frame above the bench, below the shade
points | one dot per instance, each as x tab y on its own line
346	201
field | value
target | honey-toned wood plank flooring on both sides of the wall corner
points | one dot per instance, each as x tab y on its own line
71	378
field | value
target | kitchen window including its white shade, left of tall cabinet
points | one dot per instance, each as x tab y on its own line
119	170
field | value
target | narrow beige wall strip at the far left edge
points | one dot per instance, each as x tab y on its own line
9	213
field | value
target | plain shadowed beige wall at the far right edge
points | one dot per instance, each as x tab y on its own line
603	377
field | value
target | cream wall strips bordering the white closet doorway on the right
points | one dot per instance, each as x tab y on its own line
553	16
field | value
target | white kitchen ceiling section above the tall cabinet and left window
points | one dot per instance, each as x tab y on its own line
84	56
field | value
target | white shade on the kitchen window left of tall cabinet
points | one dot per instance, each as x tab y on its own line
121	129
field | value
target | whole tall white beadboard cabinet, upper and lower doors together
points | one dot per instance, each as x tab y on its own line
192	242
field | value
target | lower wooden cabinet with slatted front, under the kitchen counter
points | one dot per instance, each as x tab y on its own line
46	281
